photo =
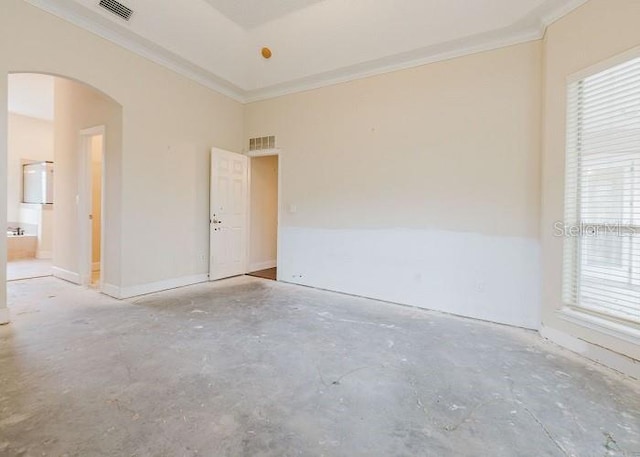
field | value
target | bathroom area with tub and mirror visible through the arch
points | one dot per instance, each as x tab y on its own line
30	166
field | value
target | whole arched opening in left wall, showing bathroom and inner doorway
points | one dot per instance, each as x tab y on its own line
62	137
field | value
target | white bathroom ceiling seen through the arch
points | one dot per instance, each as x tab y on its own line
31	95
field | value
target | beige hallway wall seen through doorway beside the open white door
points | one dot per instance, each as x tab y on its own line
264	212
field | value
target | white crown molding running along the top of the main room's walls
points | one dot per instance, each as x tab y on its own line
529	28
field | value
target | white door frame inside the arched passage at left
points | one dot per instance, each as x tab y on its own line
84	198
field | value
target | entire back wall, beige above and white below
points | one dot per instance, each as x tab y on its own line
420	186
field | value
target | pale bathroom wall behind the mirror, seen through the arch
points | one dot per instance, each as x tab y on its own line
29	139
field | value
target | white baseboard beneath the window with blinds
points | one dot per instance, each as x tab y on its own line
618	362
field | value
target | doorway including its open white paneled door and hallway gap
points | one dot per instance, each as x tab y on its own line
244	213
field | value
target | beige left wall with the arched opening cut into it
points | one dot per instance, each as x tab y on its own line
169	123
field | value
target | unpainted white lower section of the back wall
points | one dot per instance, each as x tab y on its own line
494	278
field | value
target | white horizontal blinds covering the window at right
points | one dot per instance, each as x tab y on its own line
602	193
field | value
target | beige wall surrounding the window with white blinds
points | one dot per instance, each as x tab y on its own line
594	32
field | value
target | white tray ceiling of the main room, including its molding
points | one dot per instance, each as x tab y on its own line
314	42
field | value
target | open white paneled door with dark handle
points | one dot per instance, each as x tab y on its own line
228	214
